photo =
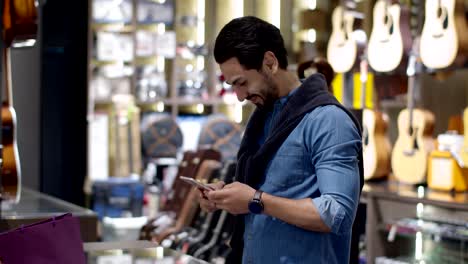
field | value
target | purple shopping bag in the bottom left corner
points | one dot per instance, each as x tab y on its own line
55	240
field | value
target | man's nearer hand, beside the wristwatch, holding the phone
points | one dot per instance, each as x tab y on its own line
233	198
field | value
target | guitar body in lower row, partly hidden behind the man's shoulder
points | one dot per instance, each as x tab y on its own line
376	146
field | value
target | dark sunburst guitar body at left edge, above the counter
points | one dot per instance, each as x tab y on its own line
11	175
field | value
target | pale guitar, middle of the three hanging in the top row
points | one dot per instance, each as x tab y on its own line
390	36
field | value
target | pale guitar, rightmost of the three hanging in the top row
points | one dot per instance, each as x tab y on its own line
444	30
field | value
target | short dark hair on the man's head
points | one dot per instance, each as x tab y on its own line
247	39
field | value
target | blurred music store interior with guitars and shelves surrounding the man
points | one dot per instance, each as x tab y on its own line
107	103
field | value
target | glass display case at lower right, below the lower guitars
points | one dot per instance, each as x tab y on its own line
415	224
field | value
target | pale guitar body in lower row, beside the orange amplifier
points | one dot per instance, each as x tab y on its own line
411	151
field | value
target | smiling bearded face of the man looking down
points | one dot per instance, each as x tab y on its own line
255	86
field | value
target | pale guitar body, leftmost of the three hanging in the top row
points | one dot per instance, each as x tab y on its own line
342	48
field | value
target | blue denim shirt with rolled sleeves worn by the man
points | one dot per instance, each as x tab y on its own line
318	160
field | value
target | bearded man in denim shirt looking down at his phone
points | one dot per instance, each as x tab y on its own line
299	165
